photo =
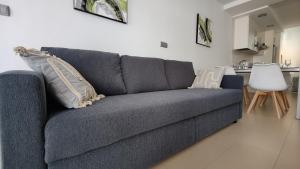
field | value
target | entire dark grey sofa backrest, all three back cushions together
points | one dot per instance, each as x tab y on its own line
111	74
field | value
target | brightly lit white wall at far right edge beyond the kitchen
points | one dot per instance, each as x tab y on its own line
290	45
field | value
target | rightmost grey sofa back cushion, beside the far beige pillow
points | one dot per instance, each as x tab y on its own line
180	75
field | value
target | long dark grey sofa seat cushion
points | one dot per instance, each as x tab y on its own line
72	132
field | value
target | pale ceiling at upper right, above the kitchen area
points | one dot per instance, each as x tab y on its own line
280	13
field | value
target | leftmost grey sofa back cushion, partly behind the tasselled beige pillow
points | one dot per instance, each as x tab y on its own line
101	69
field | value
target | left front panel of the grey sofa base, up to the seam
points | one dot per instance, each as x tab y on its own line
138	152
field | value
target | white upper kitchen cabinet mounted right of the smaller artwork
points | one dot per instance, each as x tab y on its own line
245	34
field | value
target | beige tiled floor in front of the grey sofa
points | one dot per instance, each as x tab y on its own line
258	141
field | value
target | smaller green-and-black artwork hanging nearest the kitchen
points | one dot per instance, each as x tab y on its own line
204	33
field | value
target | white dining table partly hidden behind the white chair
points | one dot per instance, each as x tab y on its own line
284	70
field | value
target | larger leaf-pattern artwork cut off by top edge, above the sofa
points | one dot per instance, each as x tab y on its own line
111	9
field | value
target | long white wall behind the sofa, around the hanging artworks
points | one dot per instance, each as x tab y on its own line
36	23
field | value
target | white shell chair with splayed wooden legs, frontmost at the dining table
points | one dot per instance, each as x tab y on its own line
267	79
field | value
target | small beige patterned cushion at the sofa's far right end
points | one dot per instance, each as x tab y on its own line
209	78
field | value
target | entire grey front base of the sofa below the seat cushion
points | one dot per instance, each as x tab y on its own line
145	150
